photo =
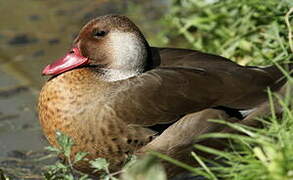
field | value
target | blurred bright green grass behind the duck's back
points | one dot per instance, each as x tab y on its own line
248	31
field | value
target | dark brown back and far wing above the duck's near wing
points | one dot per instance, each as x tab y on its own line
251	80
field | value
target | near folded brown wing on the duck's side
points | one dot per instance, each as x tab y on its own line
164	94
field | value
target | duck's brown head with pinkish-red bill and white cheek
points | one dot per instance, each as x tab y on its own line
112	44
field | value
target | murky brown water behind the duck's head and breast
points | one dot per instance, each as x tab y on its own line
34	33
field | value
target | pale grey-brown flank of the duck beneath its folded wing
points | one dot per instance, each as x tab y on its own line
178	140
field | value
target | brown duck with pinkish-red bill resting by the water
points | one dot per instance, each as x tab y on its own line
114	94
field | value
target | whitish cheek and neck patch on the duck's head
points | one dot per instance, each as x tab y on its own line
129	56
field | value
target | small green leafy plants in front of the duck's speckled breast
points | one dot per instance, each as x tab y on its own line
145	169
